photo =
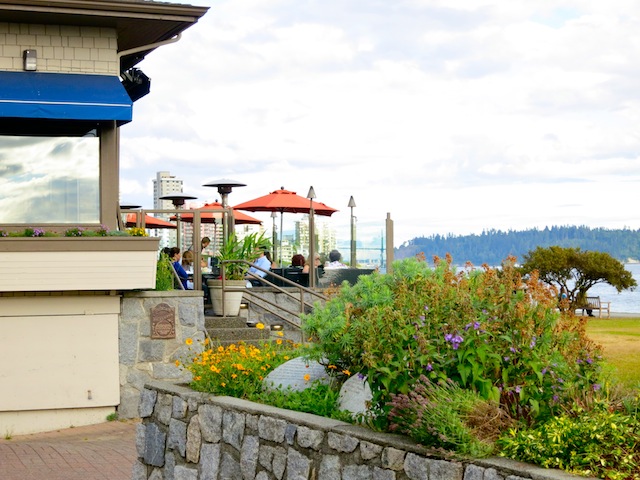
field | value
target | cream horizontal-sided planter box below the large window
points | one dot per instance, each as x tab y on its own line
49	264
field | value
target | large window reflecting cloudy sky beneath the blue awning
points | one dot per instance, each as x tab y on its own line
49	179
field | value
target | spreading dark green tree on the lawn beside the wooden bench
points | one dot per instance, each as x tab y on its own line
577	271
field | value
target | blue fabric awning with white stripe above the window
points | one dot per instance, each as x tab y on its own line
64	96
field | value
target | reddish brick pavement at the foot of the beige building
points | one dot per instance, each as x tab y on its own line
97	452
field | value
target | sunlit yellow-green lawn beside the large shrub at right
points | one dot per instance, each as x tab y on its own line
620	340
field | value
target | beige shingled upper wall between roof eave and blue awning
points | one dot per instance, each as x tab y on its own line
60	48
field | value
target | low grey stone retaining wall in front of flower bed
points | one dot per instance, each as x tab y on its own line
186	435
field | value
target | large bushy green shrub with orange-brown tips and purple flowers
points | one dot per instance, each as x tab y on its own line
486	329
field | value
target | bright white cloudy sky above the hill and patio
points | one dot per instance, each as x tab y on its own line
451	117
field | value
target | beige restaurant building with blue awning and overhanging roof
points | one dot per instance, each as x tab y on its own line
68	83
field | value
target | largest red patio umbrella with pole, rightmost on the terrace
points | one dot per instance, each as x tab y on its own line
285	201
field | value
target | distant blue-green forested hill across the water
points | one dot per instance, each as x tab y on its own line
493	246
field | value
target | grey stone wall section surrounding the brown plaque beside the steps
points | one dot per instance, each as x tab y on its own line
142	358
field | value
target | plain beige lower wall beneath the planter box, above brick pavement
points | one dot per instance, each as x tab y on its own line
60	361
